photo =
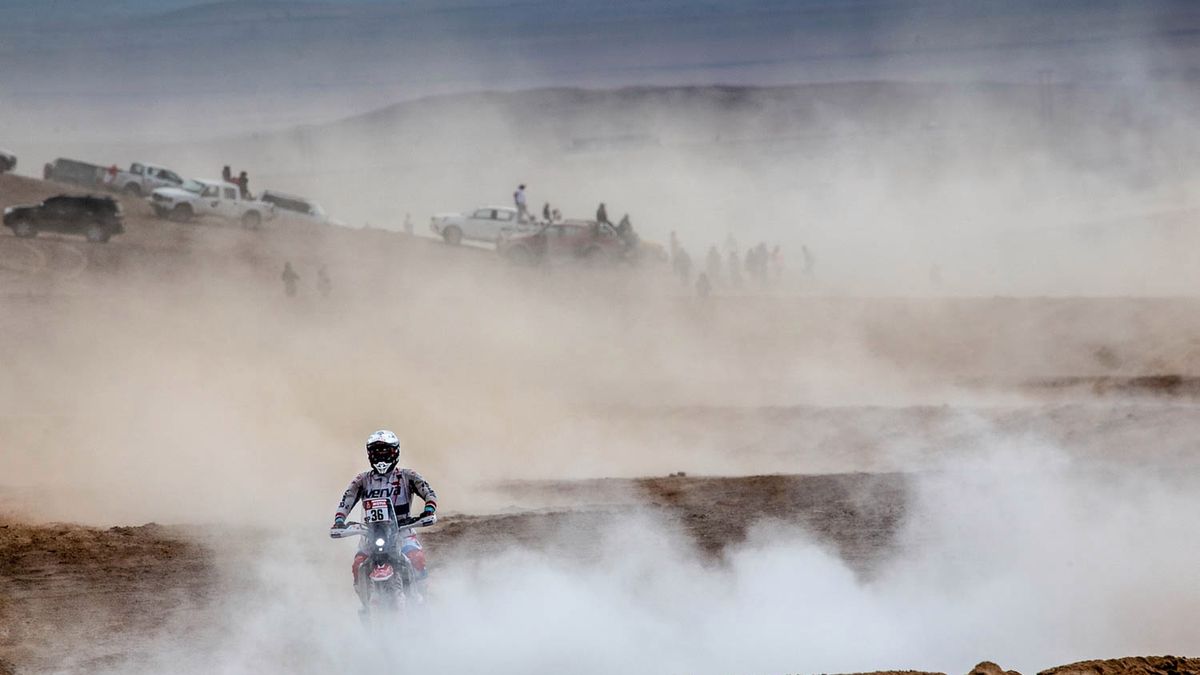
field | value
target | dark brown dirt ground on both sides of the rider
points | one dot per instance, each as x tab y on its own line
135	580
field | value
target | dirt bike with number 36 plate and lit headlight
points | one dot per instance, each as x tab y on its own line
391	577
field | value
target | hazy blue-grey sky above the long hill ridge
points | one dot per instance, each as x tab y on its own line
99	70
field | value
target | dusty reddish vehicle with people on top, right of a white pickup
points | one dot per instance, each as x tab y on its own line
572	240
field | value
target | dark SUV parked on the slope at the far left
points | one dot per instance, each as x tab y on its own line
95	218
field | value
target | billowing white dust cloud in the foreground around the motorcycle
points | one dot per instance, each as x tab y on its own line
1013	553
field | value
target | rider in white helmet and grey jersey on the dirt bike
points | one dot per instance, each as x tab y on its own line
387	480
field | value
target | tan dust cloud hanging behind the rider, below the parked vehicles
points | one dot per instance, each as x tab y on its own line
184	402
